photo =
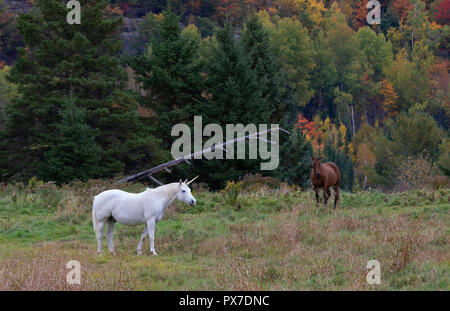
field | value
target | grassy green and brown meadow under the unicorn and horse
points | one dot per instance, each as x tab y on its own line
267	240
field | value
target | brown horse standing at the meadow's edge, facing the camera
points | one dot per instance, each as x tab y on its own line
325	176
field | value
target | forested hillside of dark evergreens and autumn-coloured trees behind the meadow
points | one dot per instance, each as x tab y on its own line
99	99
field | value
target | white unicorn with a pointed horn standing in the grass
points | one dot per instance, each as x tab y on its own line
132	209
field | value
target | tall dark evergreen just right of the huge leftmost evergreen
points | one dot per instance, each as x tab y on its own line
175	83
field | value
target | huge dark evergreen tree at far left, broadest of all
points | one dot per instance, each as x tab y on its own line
76	62
